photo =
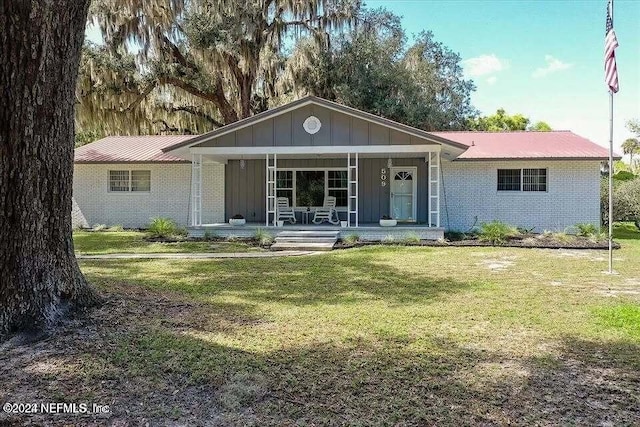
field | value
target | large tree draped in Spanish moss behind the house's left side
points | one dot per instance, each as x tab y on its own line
170	66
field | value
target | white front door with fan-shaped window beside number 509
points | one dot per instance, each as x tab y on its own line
404	185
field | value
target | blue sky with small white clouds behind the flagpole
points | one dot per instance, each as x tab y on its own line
541	58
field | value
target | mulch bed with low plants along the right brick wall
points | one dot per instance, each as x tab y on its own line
524	241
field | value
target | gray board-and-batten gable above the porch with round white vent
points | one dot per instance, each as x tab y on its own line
337	129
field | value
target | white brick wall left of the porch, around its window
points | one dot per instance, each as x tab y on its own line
169	196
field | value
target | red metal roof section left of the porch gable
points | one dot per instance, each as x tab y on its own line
116	149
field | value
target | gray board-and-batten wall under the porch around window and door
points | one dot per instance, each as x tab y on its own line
245	188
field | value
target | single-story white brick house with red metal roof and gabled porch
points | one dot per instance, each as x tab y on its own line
372	166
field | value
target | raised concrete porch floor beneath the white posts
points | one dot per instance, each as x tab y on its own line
370	232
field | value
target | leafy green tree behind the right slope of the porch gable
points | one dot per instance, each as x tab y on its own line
371	67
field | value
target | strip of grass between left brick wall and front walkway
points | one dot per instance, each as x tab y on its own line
96	243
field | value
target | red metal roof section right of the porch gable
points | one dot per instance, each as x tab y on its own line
525	145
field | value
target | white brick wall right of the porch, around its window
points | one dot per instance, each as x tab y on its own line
573	195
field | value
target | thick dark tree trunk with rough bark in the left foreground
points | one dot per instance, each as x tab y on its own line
40	45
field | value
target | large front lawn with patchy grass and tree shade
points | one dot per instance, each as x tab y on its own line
369	336
